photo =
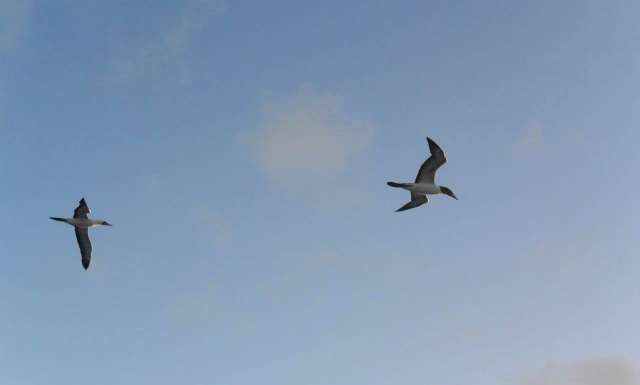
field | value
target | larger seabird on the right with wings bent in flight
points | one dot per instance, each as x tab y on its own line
425	180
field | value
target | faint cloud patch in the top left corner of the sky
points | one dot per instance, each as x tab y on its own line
13	22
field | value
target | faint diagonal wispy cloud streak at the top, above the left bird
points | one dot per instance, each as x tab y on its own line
165	55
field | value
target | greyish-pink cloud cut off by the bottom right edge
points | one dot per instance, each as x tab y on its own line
589	372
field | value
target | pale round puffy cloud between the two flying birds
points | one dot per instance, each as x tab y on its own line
307	140
